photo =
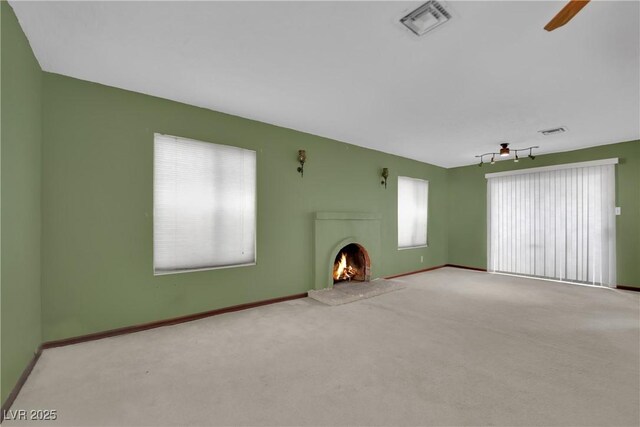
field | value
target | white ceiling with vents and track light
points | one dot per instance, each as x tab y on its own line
350	71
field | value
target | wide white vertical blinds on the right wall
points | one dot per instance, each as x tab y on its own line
557	224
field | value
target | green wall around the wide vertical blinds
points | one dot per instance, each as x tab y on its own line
467	206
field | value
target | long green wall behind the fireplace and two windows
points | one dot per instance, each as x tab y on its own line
97	208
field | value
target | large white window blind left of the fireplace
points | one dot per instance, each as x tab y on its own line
204	205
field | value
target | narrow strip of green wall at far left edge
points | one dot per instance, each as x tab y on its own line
20	174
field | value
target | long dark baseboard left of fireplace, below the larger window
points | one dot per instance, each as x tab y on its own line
165	322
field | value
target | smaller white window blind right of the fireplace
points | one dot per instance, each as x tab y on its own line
412	212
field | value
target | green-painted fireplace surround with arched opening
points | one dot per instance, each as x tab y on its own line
333	230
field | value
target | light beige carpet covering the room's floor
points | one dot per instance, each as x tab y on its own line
454	348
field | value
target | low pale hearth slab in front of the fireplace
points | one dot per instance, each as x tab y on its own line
346	292
